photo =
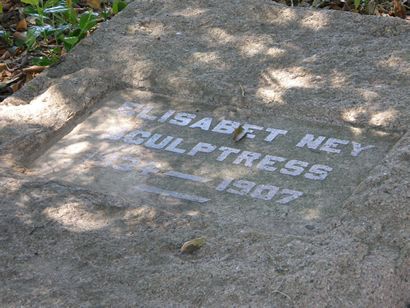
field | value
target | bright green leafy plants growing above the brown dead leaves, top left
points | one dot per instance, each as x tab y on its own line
58	21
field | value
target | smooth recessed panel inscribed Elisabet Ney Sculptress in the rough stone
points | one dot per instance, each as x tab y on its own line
139	147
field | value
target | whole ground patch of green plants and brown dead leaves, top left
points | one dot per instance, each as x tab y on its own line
35	34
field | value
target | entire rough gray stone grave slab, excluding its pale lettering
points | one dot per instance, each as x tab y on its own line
74	236
